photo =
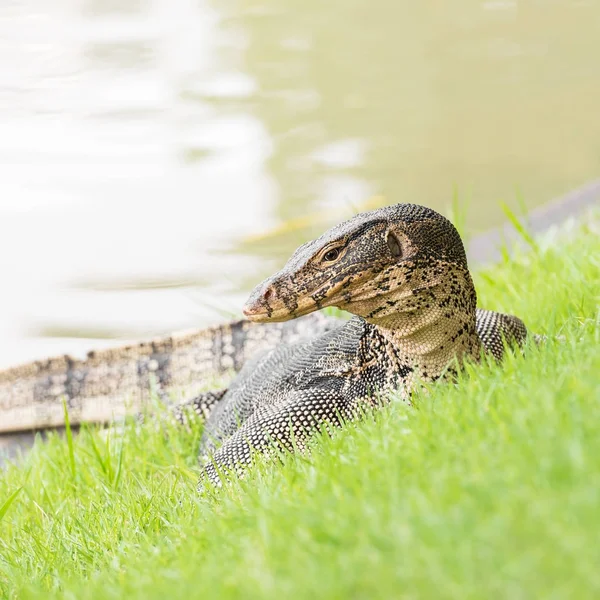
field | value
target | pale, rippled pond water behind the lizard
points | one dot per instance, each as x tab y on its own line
157	157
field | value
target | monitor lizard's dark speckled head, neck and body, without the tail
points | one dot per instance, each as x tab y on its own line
402	271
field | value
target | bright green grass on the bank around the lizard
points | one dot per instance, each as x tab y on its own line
486	489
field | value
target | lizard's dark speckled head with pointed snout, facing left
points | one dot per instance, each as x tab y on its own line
379	264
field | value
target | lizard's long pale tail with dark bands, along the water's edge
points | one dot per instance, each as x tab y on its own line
117	381
